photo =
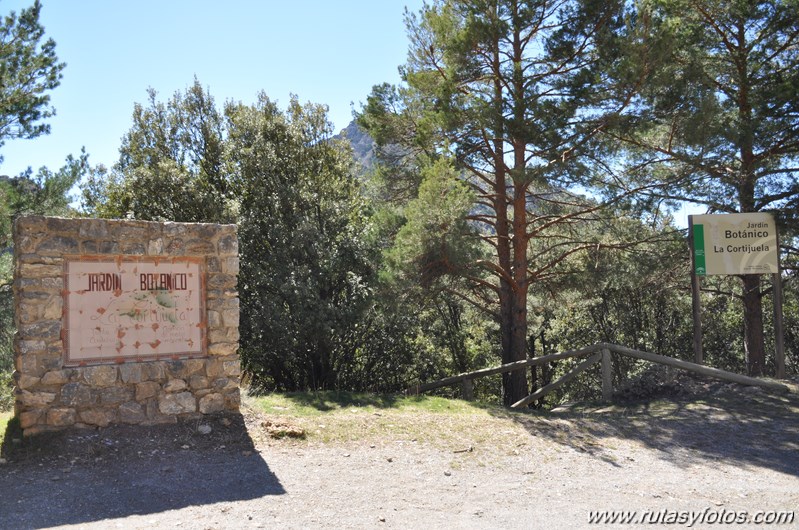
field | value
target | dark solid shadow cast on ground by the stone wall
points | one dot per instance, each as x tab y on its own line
82	476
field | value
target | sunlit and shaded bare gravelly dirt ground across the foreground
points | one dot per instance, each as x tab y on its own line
717	449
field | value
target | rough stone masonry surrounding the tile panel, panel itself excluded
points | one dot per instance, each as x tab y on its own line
51	395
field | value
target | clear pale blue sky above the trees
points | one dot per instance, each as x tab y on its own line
324	51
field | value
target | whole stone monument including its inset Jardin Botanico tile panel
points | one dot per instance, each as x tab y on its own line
123	321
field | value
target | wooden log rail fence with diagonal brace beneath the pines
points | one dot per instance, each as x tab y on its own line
598	353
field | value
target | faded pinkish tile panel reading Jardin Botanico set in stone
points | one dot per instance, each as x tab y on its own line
133	309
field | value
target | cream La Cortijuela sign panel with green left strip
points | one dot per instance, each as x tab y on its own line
743	243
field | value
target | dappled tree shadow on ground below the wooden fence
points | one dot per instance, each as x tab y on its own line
727	423
